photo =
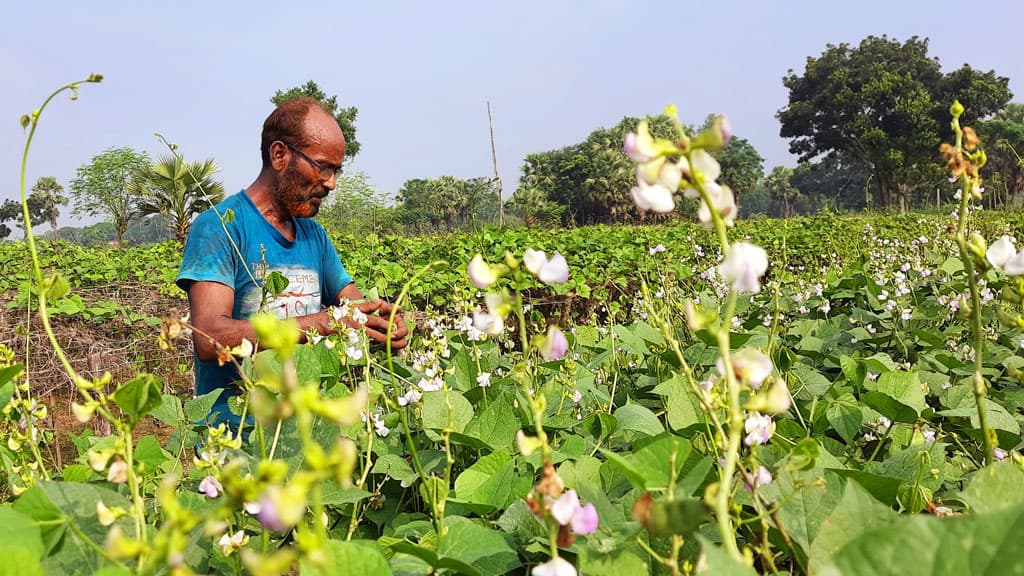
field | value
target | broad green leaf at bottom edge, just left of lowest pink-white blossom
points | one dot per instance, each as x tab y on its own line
484	549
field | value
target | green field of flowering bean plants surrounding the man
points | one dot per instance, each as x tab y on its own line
603	444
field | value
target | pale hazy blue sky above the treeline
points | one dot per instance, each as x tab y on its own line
202	73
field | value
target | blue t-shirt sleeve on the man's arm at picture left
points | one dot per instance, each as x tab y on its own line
208	256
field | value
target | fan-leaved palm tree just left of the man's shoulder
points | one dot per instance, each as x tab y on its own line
178	191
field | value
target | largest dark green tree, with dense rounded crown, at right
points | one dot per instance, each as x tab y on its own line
885	105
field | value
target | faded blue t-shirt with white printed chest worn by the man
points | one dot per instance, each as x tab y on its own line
311	264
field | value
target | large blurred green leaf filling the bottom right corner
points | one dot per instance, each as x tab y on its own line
923	546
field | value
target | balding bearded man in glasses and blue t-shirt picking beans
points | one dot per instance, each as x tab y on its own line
228	261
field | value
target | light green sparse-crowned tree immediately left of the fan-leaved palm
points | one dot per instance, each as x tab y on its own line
102	187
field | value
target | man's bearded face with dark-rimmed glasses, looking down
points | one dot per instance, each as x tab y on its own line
302	189
